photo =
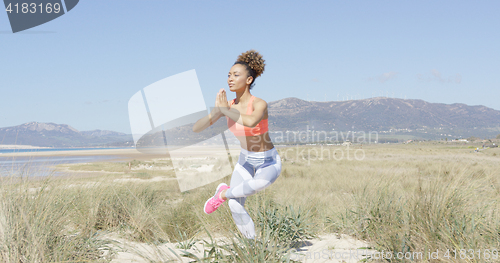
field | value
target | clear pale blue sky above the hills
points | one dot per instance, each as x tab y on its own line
82	68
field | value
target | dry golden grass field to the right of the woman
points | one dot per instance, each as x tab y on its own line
415	197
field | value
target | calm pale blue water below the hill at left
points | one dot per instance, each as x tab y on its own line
44	165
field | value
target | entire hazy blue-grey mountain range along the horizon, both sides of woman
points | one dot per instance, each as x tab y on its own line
389	116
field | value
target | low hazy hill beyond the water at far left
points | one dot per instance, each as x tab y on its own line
60	135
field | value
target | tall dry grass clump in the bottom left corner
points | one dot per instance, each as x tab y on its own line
35	225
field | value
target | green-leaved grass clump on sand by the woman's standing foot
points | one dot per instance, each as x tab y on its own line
279	230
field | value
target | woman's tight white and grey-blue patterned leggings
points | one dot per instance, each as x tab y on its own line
253	172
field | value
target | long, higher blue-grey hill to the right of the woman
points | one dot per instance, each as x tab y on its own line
383	114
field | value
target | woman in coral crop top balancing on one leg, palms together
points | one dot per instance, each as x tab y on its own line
259	164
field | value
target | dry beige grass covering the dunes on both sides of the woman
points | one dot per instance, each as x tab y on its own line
414	197
